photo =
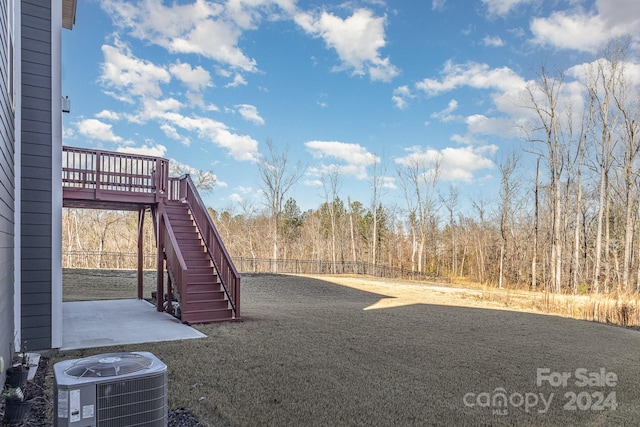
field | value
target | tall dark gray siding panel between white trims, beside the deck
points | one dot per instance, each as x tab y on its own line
36	157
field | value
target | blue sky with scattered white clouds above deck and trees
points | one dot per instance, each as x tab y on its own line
337	84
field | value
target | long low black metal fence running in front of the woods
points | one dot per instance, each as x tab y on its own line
129	260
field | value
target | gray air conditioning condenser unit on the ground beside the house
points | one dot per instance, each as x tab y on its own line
111	390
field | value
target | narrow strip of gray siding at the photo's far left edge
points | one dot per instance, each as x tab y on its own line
7	196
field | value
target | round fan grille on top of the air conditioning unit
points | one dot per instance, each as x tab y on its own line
109	365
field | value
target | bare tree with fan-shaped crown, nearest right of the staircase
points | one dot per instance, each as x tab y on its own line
278	177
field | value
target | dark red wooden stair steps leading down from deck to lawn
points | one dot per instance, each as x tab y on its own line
202	299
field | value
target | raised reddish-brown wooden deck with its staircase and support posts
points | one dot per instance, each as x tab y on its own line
94	179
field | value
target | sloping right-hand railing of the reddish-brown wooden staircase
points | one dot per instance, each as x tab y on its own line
227	272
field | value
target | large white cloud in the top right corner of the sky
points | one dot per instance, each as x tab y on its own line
589	31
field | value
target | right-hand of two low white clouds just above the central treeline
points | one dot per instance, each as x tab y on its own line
455	164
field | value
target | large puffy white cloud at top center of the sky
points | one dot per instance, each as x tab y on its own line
357	40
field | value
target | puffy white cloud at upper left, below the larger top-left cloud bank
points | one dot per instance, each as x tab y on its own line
129	75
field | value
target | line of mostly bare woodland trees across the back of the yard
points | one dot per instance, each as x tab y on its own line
572	226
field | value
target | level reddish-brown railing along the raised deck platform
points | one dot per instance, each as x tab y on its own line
104	171
